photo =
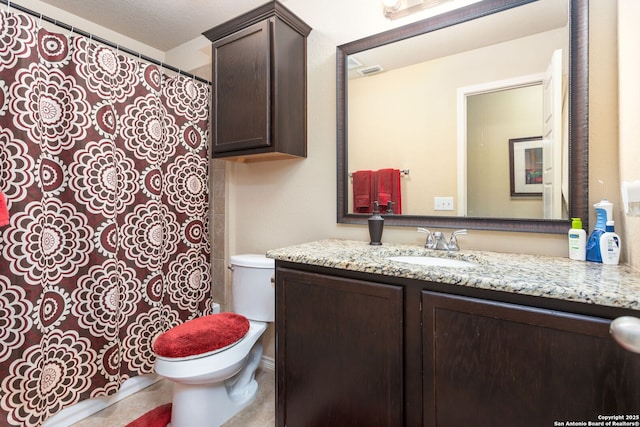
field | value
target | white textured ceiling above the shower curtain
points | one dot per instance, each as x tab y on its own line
161	24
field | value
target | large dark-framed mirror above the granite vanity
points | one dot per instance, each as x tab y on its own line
477	118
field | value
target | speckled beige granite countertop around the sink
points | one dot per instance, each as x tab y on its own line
551	277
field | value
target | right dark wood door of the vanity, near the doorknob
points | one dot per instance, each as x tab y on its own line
494	364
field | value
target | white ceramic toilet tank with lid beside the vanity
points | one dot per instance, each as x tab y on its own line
253	286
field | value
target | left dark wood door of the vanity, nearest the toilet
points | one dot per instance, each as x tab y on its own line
338	352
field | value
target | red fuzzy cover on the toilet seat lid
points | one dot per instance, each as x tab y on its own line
201	335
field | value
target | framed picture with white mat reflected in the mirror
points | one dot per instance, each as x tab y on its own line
525	166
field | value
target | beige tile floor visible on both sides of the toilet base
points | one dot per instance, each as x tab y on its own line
261	413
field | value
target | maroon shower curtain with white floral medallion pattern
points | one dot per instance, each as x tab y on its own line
104	165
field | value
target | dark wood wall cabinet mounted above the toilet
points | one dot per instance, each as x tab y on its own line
259	109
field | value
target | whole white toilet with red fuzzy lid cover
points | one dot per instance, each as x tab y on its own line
212	360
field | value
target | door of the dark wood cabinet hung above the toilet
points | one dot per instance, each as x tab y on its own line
241	85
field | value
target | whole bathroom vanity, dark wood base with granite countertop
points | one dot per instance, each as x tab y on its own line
520	340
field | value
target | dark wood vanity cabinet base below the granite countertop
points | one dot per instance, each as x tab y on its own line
357	349
